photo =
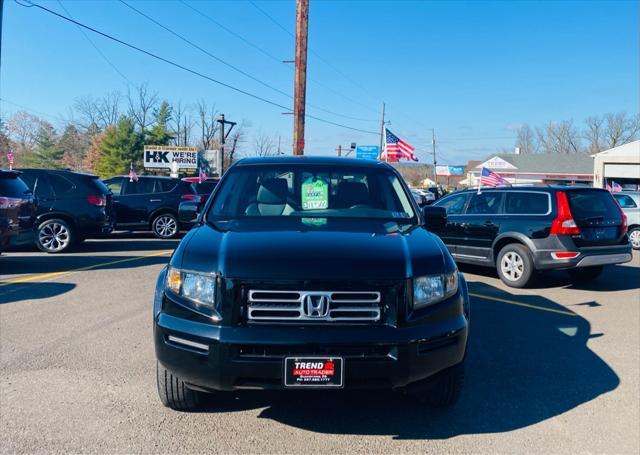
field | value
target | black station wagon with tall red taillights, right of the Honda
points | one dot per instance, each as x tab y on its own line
522	230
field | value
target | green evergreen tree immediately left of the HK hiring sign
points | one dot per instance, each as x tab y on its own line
121	146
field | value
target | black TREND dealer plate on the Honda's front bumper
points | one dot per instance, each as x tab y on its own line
313	372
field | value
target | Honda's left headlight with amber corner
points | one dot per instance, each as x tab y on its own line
198	288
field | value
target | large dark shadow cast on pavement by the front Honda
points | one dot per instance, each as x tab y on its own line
524	366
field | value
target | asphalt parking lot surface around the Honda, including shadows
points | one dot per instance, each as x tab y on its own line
551	369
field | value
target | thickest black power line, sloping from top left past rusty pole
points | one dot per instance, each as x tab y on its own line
190	70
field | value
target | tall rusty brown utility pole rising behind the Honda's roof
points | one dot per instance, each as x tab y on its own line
300	80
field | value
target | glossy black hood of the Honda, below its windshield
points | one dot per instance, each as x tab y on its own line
333	251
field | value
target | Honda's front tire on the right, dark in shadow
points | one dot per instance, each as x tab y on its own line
441	390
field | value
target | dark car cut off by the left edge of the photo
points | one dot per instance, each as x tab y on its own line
17	211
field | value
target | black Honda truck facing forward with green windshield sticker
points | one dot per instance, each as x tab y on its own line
310	272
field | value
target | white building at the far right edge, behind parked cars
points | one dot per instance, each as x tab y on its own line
620	164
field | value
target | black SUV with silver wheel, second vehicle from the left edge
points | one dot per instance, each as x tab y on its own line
72	206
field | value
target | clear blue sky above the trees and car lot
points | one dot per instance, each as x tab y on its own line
473	71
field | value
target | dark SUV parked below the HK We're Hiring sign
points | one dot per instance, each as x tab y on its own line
150	203
